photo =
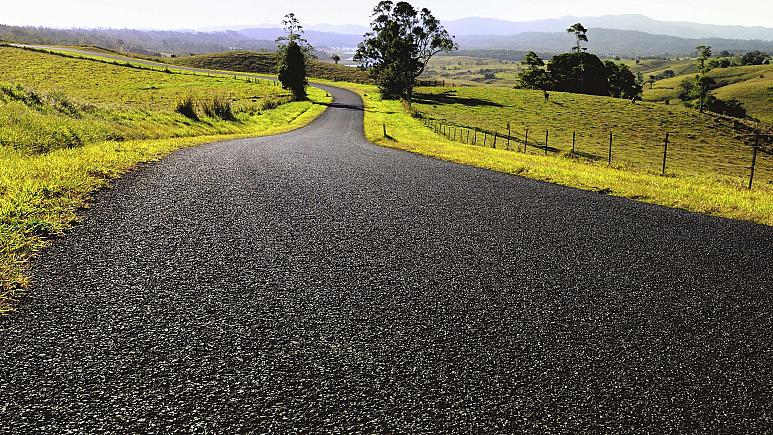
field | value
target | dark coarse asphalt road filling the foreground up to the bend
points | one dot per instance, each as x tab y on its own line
313	282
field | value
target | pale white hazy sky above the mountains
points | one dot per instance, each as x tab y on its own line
191	14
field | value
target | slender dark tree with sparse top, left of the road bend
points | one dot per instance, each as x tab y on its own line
292	52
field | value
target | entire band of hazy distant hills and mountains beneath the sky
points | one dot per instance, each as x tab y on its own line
622	35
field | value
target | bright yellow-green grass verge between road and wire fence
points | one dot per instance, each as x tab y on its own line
702	194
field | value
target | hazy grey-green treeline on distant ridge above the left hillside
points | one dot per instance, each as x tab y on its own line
147	43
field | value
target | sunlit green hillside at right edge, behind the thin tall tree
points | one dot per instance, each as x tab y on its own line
753	85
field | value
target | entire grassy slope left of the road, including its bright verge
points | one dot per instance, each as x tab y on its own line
41	189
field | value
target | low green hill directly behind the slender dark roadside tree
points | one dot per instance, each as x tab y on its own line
265	63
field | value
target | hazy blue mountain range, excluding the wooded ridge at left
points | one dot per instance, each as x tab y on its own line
623	35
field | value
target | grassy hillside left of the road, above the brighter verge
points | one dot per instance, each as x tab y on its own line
50	102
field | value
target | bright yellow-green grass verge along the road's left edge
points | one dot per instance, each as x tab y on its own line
40	194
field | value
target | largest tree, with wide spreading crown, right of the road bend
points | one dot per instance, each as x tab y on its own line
401	42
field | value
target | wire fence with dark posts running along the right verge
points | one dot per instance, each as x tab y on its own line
744	157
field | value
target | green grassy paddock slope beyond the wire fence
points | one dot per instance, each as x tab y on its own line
704	144
